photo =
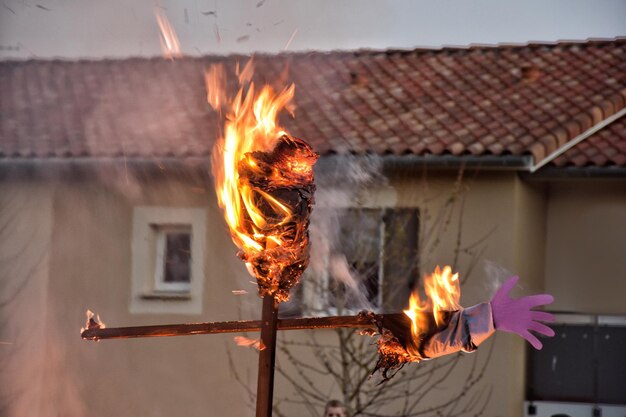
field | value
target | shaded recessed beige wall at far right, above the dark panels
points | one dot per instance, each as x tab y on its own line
586	246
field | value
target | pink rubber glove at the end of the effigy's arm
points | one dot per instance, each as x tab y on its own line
515	315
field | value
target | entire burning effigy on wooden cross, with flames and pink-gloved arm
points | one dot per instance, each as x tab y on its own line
264	182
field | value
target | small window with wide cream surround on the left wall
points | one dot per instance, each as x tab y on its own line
168	260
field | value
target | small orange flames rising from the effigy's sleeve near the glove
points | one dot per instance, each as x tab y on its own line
443	291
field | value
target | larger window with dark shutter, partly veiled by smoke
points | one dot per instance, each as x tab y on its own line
371	264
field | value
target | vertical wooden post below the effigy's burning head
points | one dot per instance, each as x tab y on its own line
267	356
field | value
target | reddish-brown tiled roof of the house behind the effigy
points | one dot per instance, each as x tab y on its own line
482	100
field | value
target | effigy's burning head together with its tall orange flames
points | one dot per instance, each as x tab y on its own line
264	180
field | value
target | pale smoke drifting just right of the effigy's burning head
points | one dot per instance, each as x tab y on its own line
331	283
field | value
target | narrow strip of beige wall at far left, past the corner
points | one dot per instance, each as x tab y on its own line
27	356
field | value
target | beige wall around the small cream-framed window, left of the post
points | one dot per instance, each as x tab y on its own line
90	268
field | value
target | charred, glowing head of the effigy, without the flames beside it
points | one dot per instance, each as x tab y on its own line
282	189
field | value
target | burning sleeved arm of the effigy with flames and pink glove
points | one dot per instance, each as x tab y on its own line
440	326
